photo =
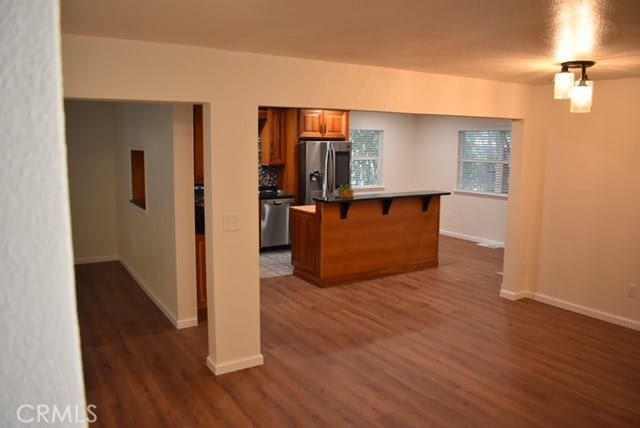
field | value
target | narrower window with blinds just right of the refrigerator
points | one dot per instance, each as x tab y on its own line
366	157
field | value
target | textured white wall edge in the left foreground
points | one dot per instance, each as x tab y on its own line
40	354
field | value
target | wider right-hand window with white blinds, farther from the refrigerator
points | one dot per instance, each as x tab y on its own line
483	161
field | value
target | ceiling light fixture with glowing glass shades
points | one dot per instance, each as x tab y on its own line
580	92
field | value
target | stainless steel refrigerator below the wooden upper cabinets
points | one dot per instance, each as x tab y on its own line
324	166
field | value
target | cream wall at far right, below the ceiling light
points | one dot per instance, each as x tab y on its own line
589	250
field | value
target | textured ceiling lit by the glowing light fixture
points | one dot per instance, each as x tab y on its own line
509	40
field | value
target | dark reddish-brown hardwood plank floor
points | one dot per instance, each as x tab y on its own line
437	347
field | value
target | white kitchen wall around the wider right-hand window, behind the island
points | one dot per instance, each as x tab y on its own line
478	218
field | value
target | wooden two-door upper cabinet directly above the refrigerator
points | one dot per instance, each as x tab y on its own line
323	124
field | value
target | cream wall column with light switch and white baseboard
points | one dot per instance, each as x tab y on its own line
231	207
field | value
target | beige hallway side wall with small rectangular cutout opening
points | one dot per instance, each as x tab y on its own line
148	239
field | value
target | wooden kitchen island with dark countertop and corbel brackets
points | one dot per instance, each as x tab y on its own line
337	241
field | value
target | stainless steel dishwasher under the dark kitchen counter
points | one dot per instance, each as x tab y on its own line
274	222
